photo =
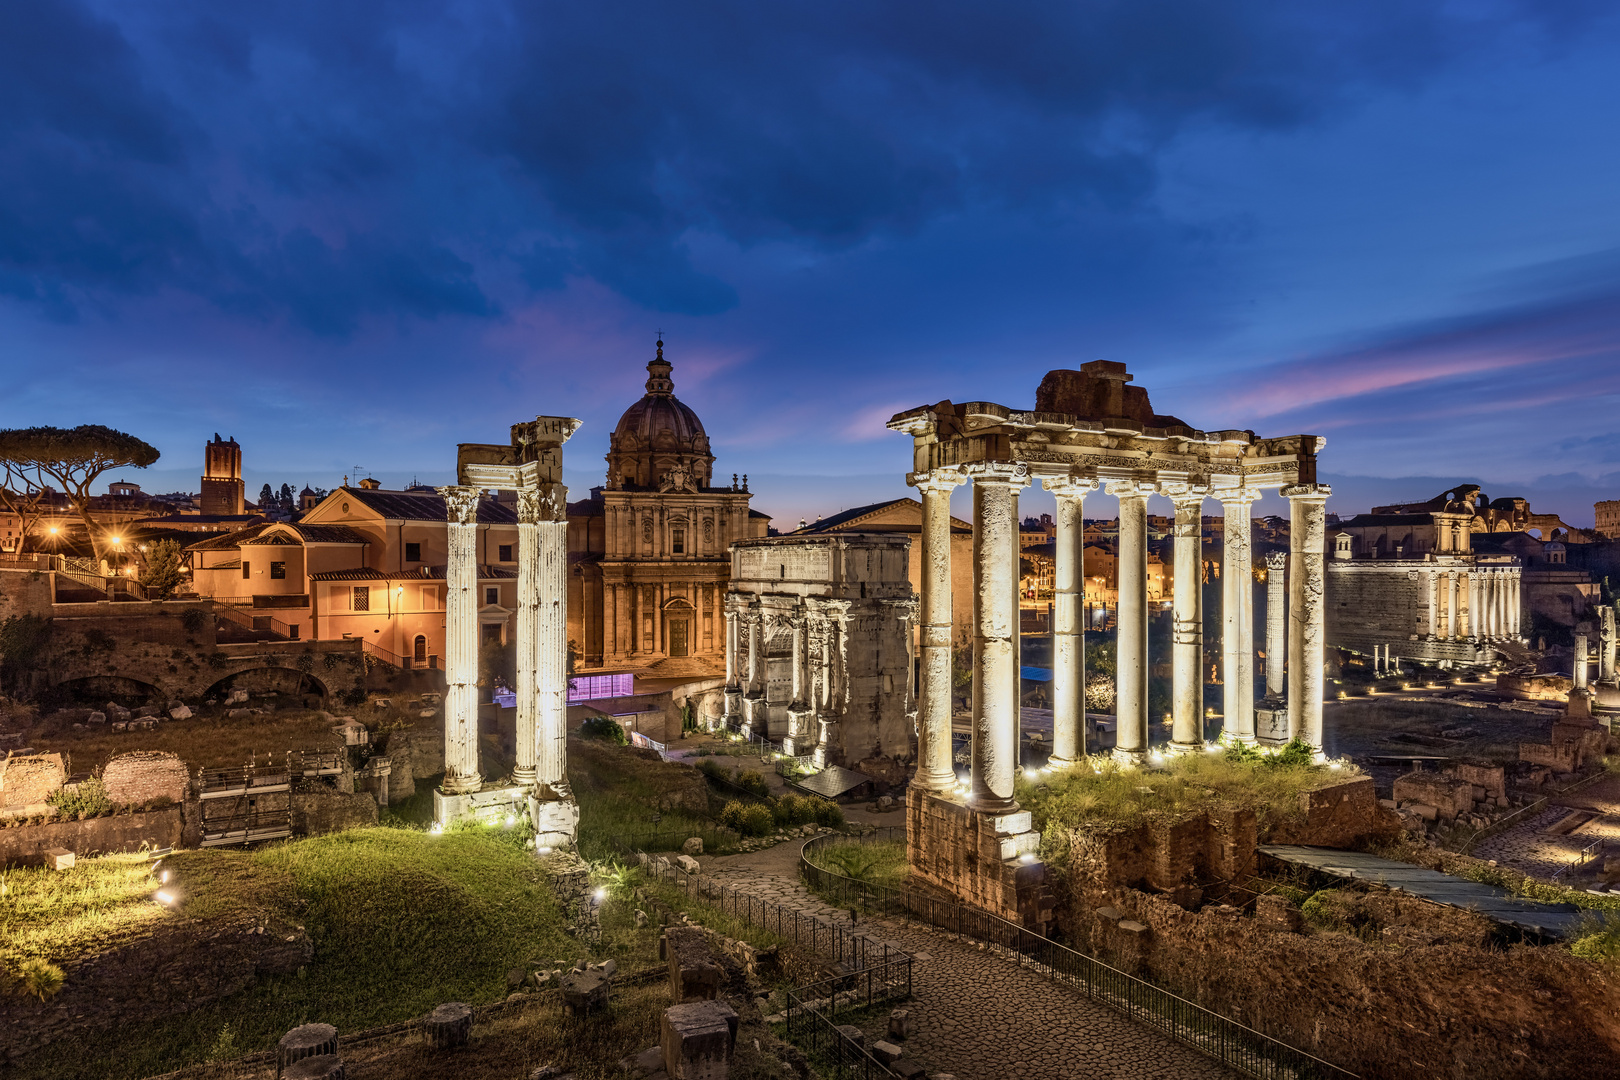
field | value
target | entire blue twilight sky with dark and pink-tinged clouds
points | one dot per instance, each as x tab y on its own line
357	234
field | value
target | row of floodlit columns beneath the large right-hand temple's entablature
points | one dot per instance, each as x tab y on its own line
995	623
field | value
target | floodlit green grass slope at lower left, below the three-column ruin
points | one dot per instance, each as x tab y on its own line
401	921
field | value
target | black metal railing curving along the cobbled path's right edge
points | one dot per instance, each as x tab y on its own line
1226	1040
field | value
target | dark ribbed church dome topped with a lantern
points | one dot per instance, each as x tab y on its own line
660	443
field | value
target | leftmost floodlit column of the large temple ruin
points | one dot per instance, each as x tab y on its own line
936	772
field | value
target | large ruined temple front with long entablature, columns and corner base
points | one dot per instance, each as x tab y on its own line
1089	432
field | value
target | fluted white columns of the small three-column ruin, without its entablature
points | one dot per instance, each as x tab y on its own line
540	645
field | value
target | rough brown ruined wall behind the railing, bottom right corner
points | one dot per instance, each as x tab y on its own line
1383	1011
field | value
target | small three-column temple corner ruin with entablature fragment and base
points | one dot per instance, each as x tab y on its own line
532	469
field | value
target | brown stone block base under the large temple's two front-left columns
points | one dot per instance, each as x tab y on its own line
983	859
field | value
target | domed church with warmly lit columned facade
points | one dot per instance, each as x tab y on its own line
649	550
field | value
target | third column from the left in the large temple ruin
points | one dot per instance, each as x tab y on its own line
1068	627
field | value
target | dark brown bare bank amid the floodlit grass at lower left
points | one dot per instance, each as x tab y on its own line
177	969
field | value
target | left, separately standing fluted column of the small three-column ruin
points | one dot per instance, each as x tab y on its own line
461	642
